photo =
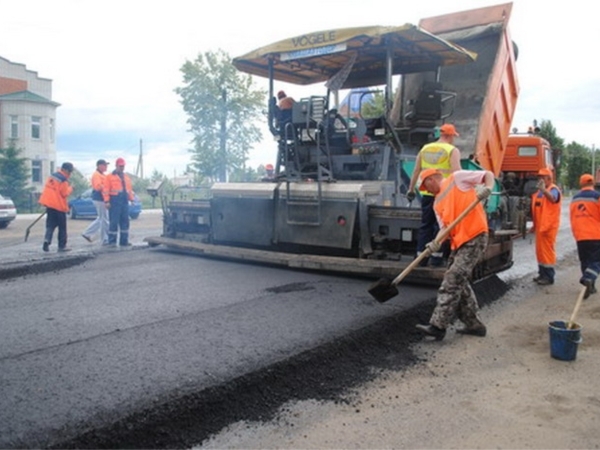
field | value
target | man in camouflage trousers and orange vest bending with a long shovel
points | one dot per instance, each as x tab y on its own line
468	241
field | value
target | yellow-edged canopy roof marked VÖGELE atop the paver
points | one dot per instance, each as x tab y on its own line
362	51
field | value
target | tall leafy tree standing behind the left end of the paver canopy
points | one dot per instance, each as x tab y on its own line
222	106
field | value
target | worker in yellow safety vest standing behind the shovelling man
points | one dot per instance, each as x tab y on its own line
441	155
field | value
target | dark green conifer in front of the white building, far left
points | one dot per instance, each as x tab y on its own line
14	176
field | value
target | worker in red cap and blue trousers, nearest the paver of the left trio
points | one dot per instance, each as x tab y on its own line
117	193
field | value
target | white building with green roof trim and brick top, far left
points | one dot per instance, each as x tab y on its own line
28	118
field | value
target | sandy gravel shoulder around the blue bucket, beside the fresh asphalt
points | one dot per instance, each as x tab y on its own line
502	391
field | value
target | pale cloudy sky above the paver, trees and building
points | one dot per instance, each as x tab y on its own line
115	64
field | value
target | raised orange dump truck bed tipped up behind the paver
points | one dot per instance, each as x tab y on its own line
487	90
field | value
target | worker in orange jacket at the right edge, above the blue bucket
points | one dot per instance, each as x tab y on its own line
585	225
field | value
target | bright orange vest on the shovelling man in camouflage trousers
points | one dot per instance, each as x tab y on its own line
450	203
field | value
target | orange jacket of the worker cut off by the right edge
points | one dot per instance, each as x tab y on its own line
585	215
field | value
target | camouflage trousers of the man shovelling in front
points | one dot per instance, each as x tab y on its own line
456	298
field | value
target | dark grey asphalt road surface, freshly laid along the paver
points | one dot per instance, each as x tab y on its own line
142	348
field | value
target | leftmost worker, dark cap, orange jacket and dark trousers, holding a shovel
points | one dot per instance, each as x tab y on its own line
54	198
